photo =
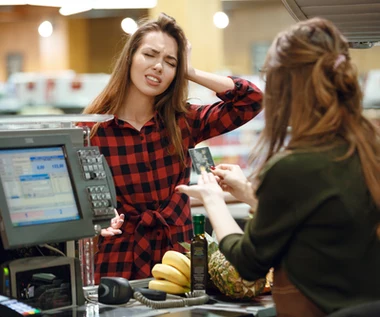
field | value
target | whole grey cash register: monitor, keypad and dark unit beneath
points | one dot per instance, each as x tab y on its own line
52	189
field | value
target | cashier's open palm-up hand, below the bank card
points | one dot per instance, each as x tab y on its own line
207	187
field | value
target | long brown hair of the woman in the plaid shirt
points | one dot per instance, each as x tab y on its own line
170	103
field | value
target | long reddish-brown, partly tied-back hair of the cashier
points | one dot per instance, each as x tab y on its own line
312	87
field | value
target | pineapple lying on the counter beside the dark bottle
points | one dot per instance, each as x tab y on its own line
224	276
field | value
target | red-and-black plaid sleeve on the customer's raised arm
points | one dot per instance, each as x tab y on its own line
237	107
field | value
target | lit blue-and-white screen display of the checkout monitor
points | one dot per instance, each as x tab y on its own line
37	186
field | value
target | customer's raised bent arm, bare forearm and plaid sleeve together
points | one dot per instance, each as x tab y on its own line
240	101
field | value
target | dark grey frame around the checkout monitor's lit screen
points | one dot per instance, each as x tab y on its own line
20	236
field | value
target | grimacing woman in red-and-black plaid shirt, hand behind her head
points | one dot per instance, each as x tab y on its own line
146	145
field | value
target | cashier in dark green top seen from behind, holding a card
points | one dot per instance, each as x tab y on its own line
318	216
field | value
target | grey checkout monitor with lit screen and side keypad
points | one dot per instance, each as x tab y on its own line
51	191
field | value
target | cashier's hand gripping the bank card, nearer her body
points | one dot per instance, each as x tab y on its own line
232	179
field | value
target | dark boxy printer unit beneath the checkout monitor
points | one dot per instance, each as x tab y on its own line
46	282
